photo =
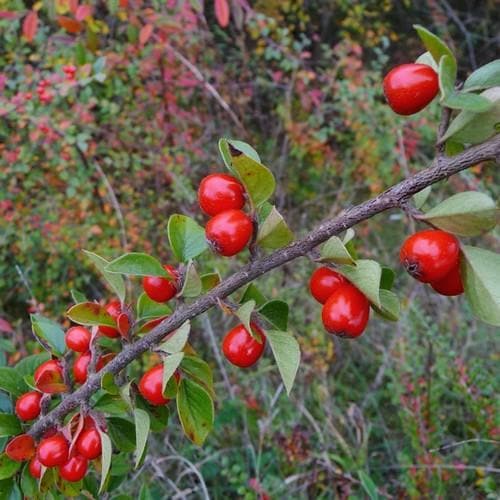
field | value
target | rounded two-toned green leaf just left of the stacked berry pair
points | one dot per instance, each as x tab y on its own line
187	237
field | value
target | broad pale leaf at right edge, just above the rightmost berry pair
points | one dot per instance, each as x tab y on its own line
466	214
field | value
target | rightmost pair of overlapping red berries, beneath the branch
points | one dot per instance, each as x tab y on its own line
433	256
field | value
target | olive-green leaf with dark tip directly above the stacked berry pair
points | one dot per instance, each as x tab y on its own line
257	179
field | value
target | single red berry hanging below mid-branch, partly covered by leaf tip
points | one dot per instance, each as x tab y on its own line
240	348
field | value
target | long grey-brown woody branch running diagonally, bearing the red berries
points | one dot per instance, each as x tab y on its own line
440	169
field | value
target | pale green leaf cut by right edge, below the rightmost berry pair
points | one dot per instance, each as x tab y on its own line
480	271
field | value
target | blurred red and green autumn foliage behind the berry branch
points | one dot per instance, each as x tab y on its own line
112	152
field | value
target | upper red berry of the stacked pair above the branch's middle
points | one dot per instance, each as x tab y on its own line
220	192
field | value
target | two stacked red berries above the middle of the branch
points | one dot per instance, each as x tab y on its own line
229	230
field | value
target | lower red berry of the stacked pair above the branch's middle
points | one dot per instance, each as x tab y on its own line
229	232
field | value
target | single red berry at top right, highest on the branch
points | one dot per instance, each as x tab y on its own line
410	87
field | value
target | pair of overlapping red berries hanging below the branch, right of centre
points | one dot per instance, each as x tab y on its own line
345	309
